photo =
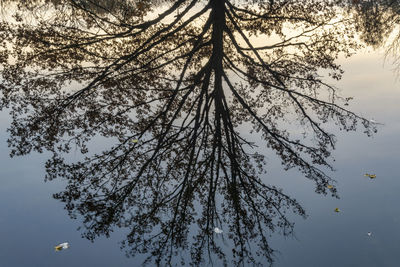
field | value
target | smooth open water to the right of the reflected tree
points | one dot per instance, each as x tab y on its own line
330	239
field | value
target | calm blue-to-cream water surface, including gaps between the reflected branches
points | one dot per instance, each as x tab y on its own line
364	232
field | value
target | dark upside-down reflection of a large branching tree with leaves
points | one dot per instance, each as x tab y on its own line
171	85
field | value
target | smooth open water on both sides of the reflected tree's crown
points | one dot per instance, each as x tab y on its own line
32	222
